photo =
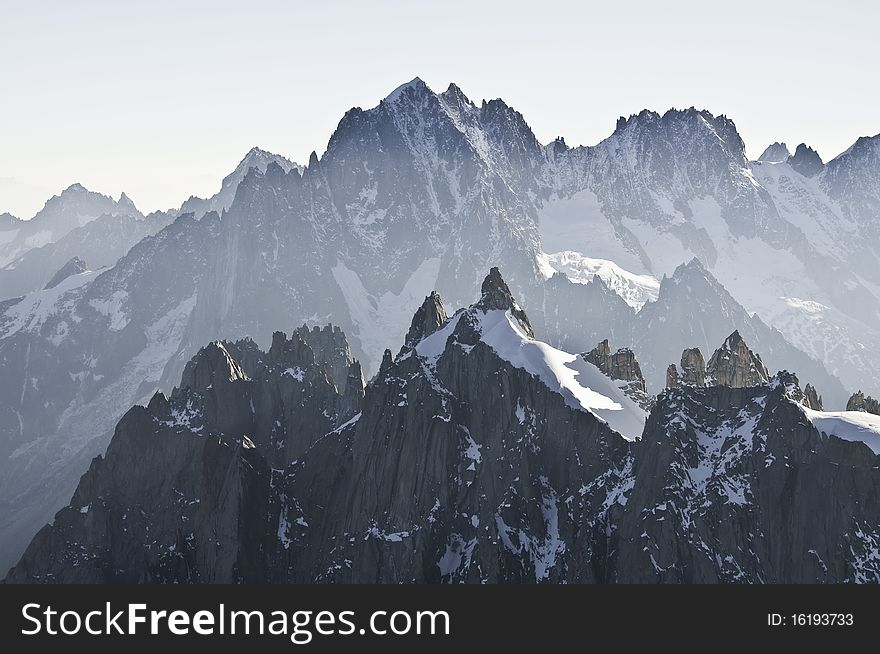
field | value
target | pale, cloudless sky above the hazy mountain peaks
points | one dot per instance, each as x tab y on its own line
162	99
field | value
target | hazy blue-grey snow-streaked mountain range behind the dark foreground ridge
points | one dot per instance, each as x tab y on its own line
662	237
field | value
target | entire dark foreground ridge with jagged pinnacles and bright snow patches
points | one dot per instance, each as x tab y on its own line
476	454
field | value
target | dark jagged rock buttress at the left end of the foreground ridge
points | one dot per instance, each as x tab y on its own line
185	488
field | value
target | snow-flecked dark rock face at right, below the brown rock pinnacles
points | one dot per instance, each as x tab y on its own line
732	485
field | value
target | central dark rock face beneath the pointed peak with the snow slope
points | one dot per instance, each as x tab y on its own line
457	471
